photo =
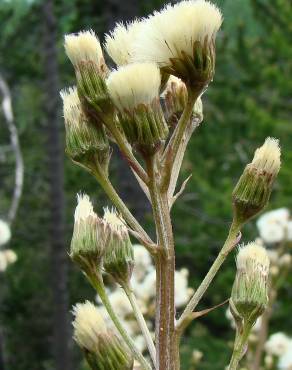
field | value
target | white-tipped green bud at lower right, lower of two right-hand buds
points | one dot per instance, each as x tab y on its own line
250	289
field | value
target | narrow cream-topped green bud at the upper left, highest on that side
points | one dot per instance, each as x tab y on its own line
84	51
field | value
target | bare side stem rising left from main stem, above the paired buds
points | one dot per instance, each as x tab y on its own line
127	215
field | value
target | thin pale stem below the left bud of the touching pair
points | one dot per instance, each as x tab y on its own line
97	282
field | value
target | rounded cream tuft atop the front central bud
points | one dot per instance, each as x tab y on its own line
134	84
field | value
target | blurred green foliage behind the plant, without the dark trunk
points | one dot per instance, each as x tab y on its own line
249	99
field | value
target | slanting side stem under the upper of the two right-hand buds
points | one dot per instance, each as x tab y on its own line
229	244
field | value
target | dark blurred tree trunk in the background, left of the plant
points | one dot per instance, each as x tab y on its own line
58	254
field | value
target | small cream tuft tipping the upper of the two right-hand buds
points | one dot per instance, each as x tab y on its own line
267	158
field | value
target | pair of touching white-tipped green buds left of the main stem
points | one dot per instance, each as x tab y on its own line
101	242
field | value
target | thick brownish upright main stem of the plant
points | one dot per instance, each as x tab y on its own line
165	269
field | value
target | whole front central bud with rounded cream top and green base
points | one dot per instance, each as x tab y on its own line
134	90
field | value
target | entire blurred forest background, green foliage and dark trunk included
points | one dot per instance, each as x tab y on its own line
250	99
